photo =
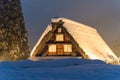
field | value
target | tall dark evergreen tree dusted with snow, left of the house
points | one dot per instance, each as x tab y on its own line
13	35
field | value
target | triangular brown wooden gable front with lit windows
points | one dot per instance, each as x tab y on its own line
59	43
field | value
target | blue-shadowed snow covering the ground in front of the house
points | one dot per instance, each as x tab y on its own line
61	69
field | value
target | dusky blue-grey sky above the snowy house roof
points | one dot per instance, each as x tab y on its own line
104	15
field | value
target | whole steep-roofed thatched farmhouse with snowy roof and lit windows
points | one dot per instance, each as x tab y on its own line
67	38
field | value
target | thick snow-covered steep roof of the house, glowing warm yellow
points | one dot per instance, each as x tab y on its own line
86	37
